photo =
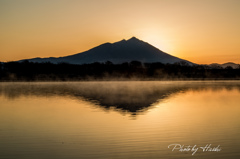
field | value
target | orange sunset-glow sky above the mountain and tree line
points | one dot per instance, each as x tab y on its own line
201	31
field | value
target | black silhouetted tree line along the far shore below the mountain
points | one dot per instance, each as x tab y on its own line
29	71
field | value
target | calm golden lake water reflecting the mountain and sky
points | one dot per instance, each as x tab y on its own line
78	120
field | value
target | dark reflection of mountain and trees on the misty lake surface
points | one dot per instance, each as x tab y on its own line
123	96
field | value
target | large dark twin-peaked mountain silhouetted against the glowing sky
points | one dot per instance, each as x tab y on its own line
118	52
